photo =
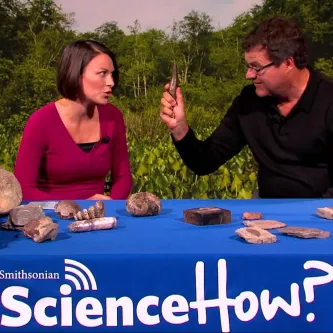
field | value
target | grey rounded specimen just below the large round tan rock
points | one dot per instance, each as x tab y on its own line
21	215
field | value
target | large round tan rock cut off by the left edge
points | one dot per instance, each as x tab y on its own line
10	191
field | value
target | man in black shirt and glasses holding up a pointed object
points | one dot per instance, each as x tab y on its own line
285	117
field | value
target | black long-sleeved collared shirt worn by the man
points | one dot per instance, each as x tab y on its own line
294	153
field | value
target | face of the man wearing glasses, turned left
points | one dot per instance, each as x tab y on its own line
266	77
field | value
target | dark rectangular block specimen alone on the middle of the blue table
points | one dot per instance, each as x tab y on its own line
207	216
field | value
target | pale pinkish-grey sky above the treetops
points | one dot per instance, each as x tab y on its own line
159	14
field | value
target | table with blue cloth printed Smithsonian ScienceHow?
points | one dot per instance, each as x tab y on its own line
161	274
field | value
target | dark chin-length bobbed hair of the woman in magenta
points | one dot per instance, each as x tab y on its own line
74	59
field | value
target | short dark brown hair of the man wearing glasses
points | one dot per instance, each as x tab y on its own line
282	39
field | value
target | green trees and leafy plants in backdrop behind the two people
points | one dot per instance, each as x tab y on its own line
211	73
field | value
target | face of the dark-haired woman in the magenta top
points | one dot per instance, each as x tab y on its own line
97	80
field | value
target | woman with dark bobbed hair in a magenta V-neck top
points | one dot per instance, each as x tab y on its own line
69	146
